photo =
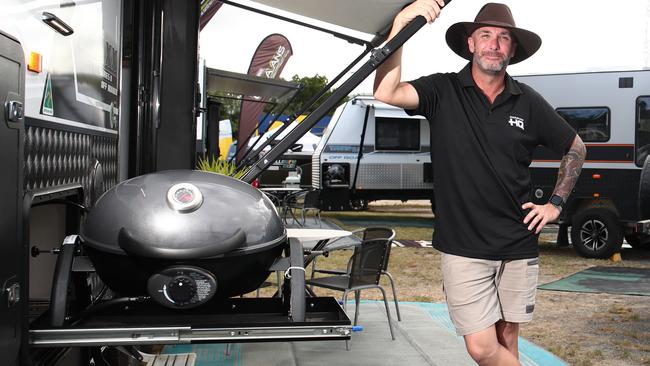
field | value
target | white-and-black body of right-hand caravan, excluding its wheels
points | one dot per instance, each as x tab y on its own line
608	112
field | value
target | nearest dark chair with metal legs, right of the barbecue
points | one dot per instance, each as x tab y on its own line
363	272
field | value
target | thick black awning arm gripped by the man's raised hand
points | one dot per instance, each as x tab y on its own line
377	58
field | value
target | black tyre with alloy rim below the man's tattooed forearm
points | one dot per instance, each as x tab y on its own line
596	233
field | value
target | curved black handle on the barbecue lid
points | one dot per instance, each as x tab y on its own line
133	246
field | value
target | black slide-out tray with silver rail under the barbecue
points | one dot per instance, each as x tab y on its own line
230	320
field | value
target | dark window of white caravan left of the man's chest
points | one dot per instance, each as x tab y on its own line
397	134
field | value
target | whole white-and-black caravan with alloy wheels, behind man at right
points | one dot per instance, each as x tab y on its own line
611	113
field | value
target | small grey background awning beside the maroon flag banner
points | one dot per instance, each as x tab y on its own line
272	90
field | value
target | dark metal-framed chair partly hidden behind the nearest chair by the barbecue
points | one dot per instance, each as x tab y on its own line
369	233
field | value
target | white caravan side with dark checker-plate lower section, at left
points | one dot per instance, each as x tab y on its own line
72	104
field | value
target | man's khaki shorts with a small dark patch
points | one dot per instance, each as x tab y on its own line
481	292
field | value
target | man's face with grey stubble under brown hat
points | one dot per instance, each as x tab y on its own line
492	47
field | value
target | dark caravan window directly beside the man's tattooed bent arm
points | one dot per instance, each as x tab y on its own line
591	124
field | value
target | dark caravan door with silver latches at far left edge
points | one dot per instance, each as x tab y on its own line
12	268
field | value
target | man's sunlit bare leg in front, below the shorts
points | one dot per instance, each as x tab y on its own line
485	349
